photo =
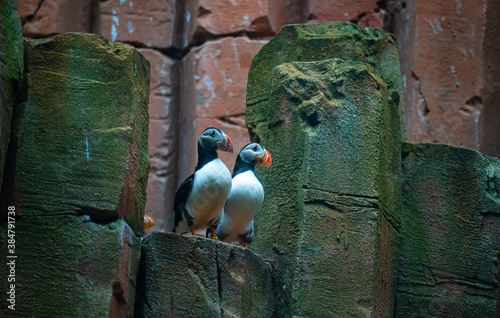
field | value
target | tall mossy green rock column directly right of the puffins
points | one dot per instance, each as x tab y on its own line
333	126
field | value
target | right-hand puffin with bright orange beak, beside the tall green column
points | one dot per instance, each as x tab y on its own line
245	198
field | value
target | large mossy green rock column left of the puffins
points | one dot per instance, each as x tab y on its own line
76	174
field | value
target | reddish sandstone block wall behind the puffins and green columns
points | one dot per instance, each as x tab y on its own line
200	52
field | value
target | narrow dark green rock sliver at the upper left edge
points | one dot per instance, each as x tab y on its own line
11	71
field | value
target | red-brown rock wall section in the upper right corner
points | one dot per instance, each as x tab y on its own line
448	65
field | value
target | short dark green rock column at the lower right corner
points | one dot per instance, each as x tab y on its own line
450	238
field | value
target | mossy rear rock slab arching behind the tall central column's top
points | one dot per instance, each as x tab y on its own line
317	42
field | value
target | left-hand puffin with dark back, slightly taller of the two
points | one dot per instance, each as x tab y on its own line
200	198
